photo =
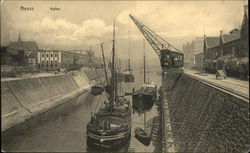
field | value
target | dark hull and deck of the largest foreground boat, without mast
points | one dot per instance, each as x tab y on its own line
110	129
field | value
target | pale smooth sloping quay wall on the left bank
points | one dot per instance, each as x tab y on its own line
23	99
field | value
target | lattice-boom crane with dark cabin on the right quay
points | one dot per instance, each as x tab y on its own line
170	56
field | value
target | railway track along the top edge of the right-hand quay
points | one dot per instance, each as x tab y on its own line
241	95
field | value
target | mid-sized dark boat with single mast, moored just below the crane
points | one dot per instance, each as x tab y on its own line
143	98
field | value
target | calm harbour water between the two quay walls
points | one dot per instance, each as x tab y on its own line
63	129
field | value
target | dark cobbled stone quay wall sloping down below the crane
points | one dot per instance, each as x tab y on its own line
204	118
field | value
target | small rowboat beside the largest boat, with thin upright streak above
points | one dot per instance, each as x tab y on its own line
141	134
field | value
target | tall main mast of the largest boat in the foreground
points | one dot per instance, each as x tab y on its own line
113	72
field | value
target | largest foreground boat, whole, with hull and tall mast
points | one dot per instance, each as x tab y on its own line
110	127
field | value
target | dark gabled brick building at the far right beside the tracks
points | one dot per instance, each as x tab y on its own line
229	51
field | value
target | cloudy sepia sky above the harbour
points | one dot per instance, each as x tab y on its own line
85	24
